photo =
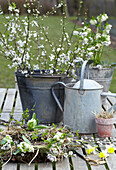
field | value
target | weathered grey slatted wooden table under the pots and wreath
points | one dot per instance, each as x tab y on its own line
10	102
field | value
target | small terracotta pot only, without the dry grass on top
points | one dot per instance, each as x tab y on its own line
104	127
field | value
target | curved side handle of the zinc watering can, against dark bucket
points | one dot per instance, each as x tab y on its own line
54	95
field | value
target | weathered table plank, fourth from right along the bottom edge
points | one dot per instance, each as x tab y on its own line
63	165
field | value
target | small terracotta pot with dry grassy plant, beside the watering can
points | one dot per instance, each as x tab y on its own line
104	122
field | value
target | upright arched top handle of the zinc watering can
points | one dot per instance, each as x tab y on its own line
82	74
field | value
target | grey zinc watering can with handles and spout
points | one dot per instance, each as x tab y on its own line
81	100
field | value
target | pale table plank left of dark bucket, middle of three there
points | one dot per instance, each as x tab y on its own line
8	105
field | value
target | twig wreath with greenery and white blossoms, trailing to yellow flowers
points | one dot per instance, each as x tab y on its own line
32	142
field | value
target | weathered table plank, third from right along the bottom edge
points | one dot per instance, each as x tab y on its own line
78	163
